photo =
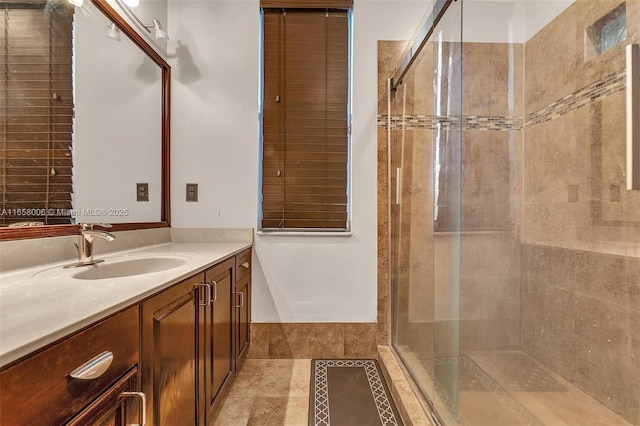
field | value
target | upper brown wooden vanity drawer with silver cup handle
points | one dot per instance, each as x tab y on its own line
39	390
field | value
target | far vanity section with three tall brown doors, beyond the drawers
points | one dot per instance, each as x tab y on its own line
192	336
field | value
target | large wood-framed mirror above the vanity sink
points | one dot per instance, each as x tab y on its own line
85	123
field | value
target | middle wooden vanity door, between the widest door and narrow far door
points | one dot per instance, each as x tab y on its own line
218	346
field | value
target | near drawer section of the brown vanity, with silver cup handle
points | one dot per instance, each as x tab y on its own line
39	389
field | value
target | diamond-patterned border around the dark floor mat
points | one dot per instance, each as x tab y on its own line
321	414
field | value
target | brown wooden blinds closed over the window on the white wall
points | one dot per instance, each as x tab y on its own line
305	120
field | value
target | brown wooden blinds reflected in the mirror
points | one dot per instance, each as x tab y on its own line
36	105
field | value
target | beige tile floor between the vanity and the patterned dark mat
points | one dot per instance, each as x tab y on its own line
268	392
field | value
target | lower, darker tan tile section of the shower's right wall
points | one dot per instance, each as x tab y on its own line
580	313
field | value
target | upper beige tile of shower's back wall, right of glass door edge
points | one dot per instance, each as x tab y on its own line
492	87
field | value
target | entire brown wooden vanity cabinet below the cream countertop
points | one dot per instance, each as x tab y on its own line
179	347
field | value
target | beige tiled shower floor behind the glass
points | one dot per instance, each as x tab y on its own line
505	388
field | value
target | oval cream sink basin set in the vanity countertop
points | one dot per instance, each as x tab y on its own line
128	267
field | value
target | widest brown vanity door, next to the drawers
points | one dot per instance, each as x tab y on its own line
169	354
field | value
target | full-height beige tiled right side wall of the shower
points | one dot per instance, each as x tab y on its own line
579	305
